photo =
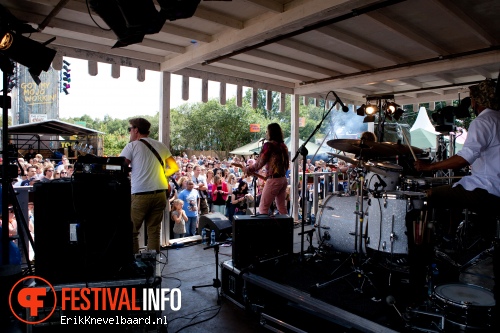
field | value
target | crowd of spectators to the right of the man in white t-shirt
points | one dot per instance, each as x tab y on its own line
227	190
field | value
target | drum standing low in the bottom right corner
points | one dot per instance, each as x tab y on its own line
465	306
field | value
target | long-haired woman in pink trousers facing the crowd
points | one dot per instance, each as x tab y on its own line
274	156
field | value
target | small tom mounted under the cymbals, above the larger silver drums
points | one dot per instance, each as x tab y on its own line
389	173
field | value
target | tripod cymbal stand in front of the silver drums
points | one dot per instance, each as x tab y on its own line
354	257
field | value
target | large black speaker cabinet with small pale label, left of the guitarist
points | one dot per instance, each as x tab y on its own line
83	231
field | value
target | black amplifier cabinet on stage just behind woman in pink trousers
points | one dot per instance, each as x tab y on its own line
261	238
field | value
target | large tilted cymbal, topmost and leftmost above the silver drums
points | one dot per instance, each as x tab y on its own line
367	149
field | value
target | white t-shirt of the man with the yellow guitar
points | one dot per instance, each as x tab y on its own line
147	172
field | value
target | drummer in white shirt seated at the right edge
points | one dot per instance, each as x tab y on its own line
480	191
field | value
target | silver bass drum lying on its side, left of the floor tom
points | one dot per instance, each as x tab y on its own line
337	222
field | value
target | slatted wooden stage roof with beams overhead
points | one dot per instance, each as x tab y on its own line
419	50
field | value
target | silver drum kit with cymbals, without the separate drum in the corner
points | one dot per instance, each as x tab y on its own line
384	229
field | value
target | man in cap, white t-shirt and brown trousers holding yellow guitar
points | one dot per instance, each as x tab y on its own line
148	180
